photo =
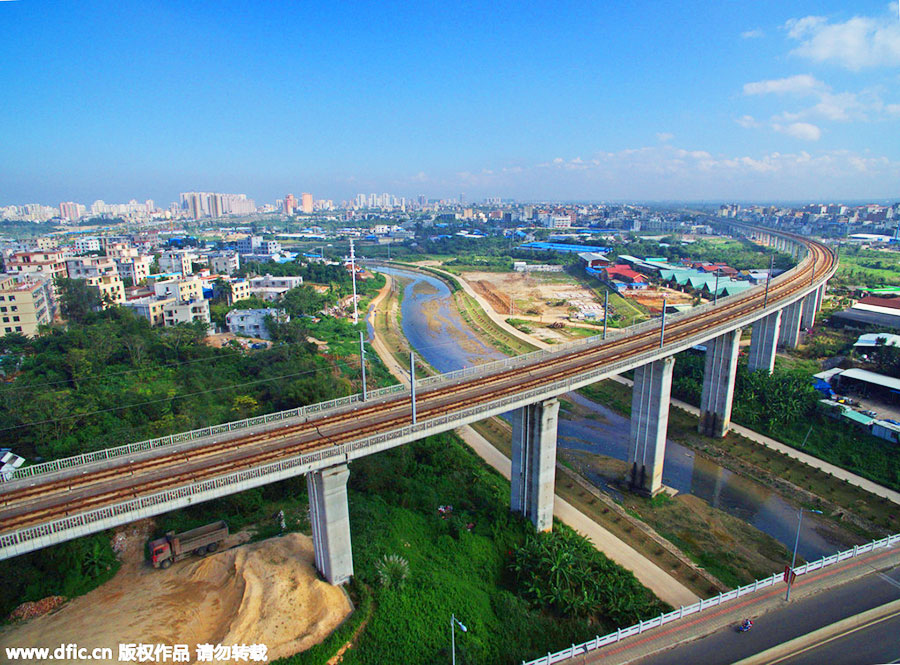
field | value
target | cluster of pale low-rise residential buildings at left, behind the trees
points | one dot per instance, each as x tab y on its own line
122	272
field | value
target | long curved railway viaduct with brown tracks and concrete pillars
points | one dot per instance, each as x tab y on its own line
57	501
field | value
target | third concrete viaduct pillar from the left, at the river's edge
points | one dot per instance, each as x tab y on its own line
649	422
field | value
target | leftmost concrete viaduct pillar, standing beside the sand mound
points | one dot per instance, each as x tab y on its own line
330	518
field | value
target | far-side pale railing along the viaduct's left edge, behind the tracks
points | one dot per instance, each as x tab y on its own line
300	412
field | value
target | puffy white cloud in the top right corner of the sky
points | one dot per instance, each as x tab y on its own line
854	44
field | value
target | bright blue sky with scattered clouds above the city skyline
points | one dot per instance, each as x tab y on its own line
751	100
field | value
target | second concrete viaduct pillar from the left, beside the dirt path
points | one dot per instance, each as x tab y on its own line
534	462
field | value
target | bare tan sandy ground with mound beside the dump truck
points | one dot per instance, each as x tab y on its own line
260	593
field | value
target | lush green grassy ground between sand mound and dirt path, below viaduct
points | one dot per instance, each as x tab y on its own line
464	564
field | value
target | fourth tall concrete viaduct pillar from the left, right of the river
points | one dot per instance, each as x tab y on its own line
718	384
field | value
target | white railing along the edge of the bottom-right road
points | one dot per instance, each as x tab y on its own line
621	633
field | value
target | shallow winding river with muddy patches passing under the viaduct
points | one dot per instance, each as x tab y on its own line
445	341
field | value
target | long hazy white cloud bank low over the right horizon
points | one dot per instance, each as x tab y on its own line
665	171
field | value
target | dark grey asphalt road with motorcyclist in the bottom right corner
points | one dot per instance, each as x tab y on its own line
799	618
